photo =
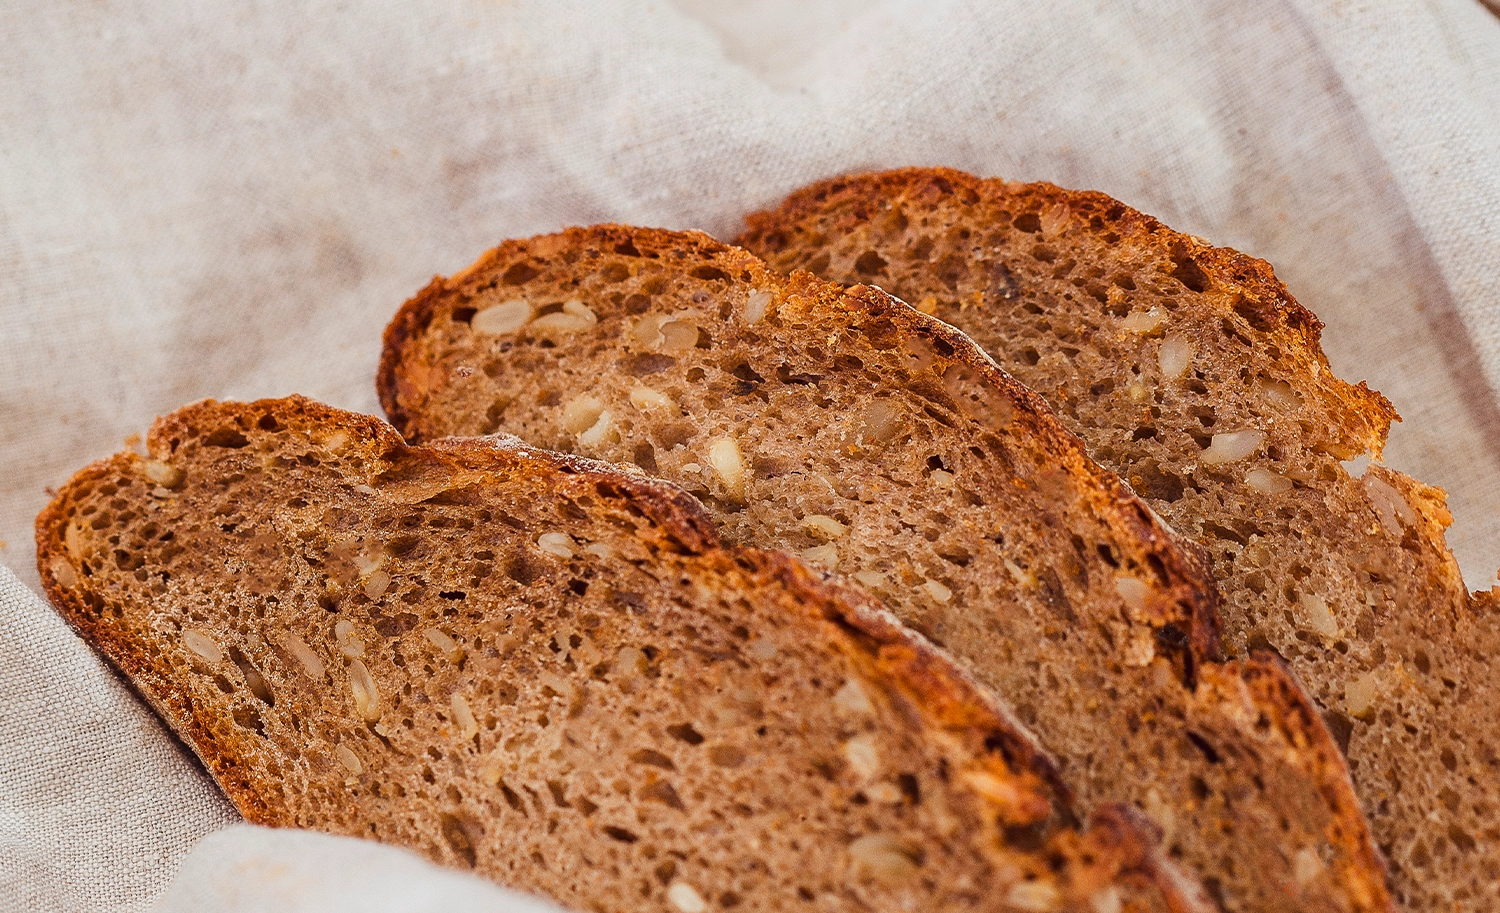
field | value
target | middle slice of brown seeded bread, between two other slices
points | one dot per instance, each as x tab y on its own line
877	442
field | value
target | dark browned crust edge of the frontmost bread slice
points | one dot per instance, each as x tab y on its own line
937	695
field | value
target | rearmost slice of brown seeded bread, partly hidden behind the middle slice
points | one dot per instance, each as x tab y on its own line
1192	373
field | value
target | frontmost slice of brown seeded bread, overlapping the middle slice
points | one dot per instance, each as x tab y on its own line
553	674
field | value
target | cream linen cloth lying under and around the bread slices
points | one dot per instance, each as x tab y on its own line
230	200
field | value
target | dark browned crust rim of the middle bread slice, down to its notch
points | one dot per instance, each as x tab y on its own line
398	386
